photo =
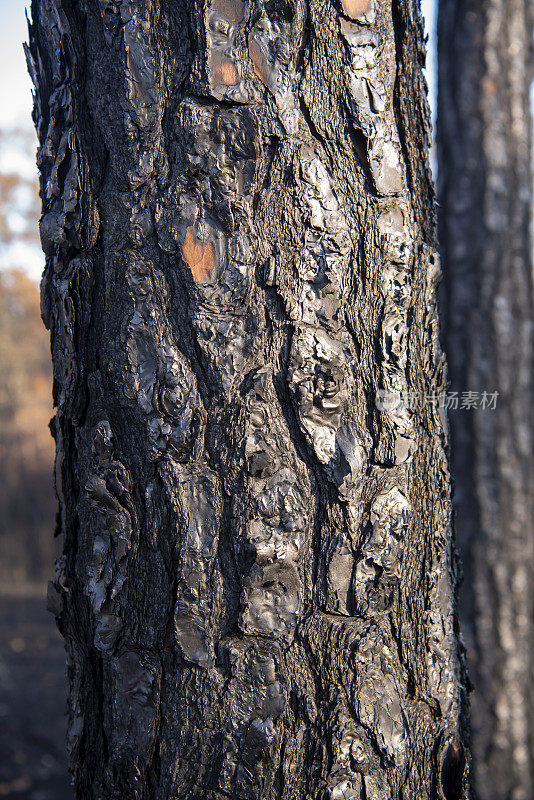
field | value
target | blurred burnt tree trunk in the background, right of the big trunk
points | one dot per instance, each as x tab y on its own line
486	68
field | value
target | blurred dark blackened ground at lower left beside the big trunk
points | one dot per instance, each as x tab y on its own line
33	762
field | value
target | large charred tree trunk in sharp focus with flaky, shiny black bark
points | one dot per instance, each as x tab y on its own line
257	590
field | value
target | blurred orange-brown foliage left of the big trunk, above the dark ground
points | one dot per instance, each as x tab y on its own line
27	500
